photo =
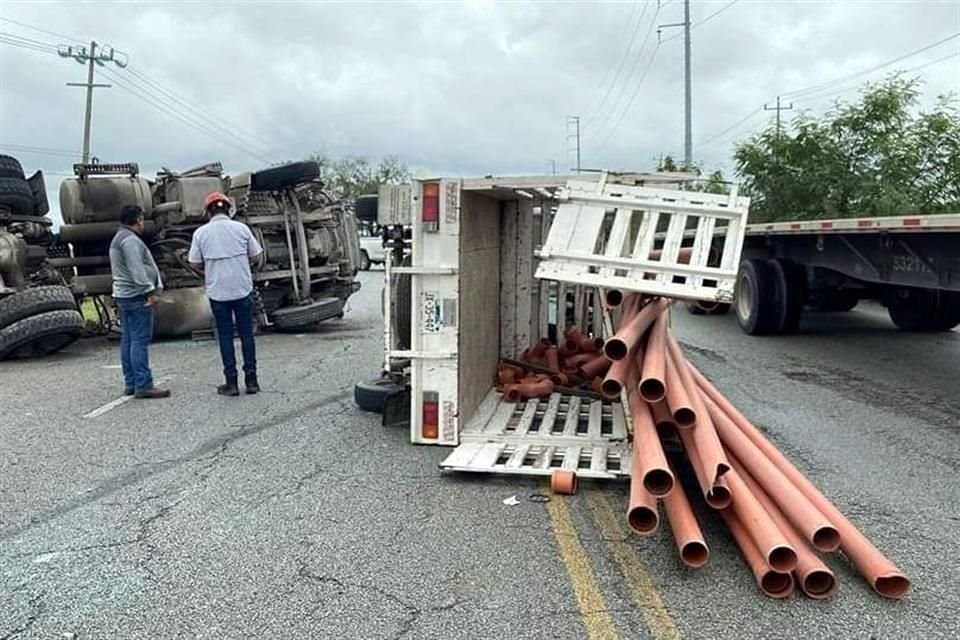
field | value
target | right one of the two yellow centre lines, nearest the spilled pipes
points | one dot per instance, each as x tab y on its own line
641	587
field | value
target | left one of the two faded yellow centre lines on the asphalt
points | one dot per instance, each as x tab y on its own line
590	601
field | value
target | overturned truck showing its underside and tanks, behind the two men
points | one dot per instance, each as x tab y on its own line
311	246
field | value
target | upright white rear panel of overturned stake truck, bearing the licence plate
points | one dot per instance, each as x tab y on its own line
435	315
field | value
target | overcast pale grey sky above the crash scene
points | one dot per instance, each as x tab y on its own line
457	88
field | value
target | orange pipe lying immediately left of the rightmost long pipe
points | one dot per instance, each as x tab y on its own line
808	520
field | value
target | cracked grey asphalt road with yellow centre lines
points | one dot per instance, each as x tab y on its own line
293	515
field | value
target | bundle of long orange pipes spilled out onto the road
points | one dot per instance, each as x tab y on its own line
778	518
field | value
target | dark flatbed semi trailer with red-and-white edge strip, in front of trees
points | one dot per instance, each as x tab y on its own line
910	264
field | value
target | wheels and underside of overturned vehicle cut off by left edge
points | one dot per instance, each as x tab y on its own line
38	314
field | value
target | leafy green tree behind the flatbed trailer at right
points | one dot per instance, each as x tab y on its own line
880	155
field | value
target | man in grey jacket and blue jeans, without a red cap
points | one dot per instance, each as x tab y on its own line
136	285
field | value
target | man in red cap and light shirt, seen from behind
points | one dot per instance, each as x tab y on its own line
223	248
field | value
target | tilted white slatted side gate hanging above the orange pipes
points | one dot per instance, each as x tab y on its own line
587	245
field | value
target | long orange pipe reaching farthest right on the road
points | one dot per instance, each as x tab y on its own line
884	576
